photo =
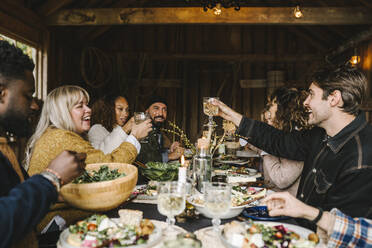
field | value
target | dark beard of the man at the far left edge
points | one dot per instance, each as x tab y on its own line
16	123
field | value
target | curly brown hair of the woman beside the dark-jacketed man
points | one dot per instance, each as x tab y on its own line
291	113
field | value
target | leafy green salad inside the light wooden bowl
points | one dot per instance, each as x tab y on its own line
103	174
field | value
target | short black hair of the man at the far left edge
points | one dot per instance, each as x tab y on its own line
13	62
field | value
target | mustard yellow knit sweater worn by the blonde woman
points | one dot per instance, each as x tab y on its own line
52	143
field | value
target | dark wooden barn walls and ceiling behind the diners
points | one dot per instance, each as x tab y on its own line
176	49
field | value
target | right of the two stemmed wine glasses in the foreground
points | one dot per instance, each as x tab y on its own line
217	200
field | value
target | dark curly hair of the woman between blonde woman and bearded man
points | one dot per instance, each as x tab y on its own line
103	111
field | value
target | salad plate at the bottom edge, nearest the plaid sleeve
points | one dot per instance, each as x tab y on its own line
266	234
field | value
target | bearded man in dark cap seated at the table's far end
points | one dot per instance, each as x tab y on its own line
159	147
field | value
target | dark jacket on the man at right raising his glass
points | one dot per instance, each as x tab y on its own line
337	170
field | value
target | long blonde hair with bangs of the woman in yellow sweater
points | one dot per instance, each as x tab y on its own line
56	113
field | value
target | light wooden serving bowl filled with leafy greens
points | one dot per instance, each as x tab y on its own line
101	187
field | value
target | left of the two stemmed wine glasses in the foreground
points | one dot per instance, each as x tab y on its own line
171	200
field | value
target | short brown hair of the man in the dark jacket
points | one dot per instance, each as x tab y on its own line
350	81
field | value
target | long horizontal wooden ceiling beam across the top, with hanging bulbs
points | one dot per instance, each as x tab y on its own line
196	15
